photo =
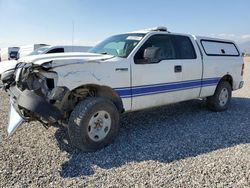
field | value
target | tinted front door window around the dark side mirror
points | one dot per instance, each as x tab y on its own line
164	42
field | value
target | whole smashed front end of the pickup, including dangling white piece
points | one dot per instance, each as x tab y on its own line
34	95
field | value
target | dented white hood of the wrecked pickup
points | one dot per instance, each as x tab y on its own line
60	58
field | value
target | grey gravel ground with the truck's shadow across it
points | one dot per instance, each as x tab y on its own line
181	145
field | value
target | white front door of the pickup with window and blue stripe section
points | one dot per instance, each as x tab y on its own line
156	83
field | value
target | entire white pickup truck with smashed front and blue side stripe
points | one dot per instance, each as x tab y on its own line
126	72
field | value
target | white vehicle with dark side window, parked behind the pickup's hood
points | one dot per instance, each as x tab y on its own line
59	49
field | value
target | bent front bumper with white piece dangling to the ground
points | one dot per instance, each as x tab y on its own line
35	105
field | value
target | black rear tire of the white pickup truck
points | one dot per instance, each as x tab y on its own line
214	102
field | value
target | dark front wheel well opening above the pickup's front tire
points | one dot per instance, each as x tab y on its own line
99	91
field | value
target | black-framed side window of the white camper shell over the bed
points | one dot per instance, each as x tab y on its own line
219	48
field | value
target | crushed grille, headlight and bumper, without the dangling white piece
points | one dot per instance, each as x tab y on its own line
35	93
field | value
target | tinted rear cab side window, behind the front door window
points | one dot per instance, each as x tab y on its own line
185	48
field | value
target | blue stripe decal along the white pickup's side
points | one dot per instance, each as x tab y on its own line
135	91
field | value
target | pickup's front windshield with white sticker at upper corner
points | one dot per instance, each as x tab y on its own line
118	45
